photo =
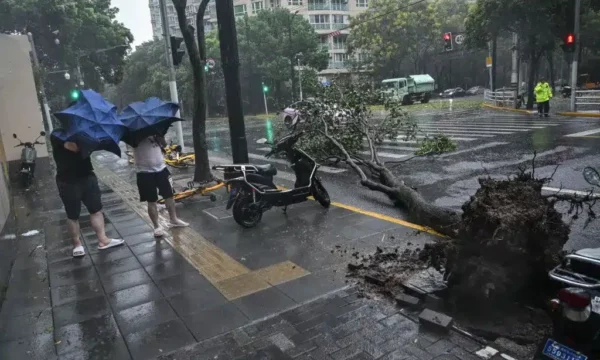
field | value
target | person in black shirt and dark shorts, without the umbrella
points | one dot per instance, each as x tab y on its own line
78	184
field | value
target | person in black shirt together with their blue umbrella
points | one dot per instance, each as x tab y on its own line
75	176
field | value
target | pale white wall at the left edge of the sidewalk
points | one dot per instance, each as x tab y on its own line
19	107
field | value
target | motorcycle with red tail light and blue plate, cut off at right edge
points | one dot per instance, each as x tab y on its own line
576	311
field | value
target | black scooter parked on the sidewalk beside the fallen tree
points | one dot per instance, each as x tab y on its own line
251	187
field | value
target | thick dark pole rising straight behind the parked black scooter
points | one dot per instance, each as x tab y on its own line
231	71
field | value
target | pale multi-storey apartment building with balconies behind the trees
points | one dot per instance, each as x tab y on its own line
326	16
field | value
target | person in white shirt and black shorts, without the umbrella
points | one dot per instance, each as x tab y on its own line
153	175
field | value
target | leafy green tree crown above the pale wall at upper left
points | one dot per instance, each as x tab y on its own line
82	27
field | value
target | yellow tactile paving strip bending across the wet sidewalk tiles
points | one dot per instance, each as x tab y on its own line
230	277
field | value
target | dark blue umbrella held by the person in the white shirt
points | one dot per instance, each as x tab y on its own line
146	118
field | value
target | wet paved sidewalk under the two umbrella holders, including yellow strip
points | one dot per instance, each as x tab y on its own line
211	291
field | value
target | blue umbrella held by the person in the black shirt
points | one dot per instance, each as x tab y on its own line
92	123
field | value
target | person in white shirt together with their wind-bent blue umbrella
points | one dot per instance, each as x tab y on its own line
147	123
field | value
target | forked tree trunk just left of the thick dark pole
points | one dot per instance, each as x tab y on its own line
202	171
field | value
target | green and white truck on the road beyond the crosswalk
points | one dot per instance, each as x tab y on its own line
410	89
